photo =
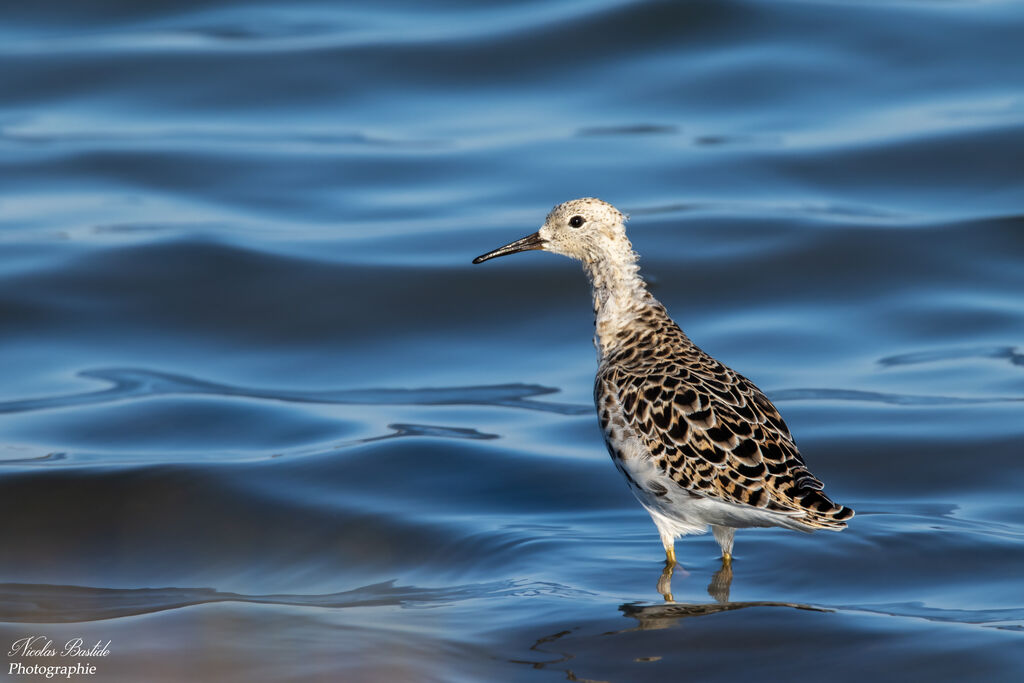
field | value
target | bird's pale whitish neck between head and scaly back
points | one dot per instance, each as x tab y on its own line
620	297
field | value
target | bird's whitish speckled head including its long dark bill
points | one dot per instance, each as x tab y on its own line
587	230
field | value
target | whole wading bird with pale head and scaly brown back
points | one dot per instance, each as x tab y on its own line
698	443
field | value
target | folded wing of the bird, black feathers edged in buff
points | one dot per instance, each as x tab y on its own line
713	432
